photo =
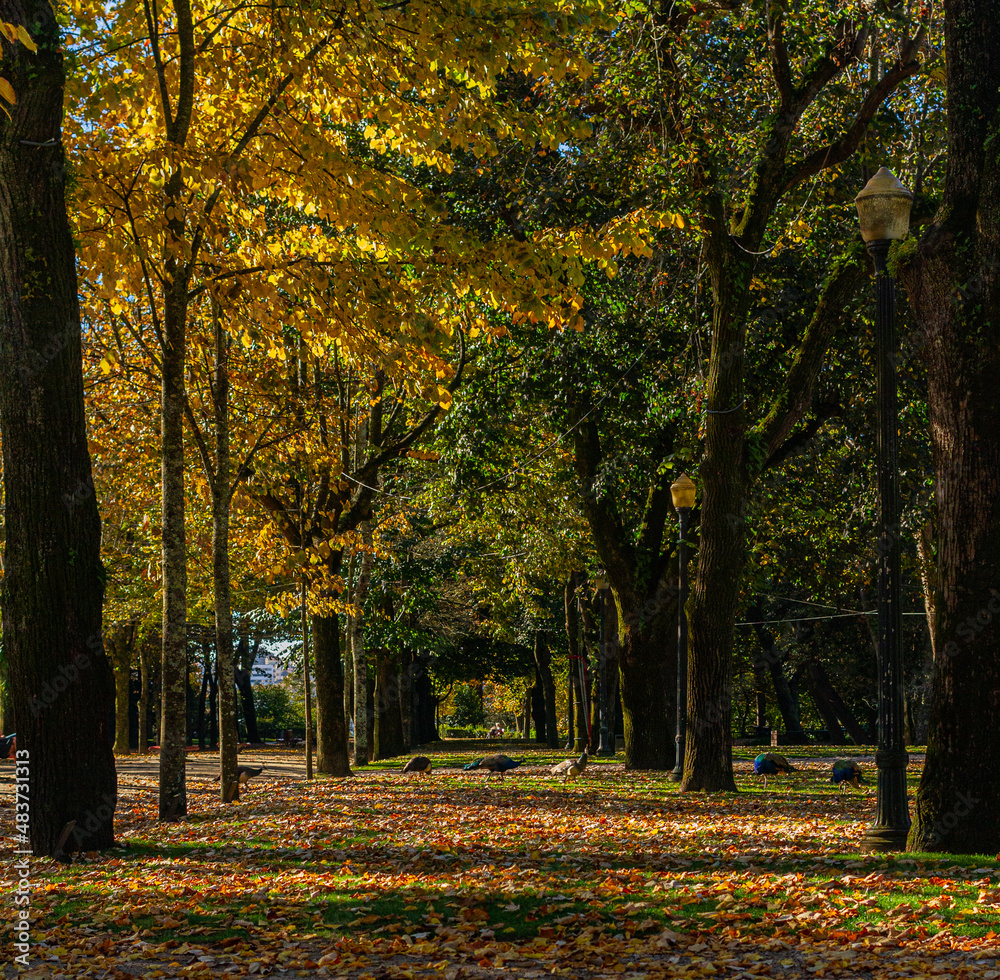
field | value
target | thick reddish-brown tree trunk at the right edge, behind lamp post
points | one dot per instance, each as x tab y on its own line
953	281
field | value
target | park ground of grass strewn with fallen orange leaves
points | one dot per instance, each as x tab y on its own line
613	874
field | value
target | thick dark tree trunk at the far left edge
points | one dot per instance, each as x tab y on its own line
62	686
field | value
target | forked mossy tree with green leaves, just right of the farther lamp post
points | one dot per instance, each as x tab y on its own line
721	111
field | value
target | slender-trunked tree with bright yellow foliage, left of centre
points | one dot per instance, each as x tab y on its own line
224	164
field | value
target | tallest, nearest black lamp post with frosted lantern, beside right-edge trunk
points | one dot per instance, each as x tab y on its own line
884	211
